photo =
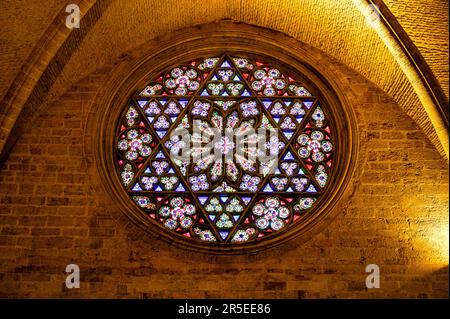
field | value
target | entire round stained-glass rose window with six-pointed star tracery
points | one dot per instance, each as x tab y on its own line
234	199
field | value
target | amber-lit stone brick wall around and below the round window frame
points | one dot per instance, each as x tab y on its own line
51	216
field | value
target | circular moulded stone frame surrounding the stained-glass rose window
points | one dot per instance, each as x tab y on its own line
273	47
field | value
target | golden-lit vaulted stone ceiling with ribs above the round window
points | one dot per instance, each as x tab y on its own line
32	29
